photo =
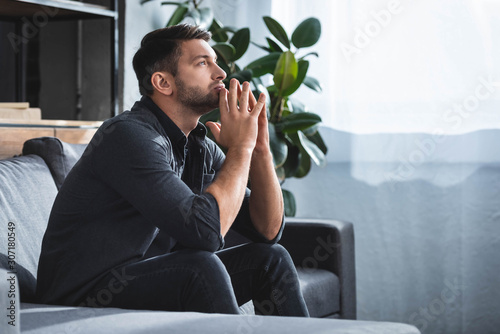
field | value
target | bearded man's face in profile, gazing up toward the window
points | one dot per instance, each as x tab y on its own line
199	78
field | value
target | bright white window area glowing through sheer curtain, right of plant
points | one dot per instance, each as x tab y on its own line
404	66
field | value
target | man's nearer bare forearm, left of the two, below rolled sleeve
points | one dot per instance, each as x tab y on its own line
229	186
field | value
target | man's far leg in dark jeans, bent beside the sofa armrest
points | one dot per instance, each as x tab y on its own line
265	273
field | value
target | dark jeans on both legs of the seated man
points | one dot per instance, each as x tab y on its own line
195	280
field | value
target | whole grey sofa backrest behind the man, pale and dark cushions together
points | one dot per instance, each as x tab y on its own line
28	187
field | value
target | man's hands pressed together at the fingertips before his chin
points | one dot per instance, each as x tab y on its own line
243	119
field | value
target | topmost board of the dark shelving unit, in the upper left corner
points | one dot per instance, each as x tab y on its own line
55	9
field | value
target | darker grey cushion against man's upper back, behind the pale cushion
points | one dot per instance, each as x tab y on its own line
58	155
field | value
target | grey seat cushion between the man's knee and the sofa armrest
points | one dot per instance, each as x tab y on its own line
321	291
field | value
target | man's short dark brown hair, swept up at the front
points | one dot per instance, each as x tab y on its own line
160	51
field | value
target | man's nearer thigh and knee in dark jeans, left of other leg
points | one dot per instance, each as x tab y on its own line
186	280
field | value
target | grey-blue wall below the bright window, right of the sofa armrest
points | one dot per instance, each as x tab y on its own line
426	220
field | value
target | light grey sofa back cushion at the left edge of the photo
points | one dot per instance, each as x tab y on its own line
27	192
